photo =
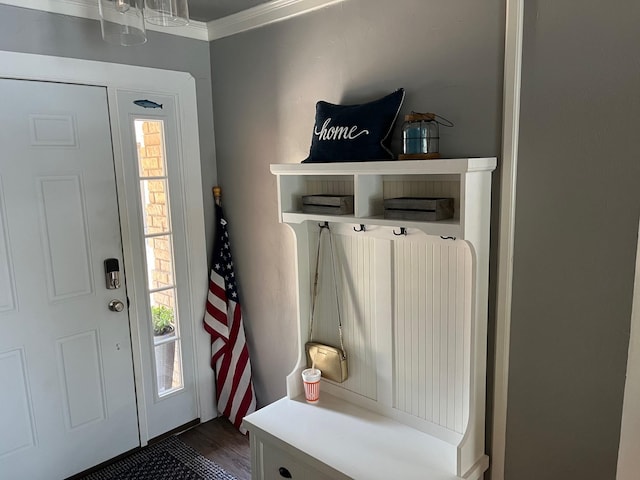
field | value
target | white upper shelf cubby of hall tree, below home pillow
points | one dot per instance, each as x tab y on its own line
371	183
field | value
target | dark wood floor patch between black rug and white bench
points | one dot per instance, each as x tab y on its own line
220	441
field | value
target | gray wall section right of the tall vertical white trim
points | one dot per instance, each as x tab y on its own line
578	202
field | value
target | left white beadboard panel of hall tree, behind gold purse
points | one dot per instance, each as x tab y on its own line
354	267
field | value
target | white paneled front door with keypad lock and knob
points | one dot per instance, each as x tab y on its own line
67	397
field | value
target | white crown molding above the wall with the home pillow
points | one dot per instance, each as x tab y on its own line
265	14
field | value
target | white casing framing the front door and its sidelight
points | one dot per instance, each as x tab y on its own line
149	80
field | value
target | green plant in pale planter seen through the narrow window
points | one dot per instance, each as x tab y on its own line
163	327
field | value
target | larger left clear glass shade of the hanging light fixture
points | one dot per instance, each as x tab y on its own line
122	22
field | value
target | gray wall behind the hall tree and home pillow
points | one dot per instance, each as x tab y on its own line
447	55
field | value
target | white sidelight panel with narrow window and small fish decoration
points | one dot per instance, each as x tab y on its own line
150	169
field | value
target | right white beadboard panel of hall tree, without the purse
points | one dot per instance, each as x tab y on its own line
432	282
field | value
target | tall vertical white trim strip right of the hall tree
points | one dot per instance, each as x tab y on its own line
510	133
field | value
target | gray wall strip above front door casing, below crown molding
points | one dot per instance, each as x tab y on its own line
30	31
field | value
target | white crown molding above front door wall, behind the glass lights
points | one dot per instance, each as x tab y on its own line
89	9
